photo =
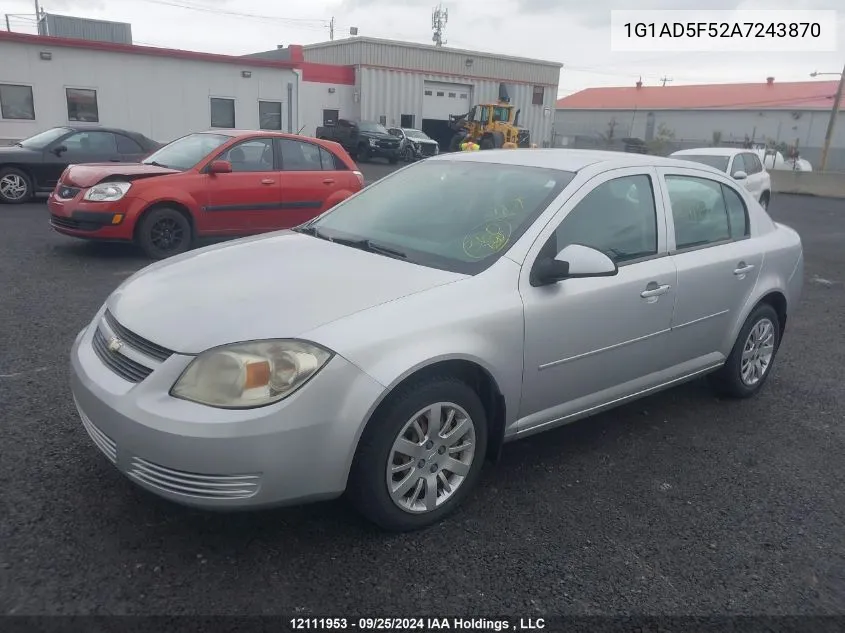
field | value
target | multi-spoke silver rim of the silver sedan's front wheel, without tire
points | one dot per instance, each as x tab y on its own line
431	457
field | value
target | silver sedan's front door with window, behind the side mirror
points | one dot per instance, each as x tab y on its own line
591	340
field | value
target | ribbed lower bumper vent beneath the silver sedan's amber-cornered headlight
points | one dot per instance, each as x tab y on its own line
186	484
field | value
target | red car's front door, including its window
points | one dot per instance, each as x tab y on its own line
238	201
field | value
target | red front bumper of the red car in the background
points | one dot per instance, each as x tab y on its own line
94	220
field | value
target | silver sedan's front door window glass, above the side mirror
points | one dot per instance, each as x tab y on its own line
618	217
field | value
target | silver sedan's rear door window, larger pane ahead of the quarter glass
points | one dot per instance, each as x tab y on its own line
699	212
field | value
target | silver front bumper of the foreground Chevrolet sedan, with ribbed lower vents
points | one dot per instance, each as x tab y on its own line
297	450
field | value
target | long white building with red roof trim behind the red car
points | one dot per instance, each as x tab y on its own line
161	93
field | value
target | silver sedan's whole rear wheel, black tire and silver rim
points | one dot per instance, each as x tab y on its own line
729	380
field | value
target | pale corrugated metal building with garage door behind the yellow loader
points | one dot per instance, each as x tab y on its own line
415	85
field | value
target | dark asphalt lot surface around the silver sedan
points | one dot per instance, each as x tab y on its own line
677	504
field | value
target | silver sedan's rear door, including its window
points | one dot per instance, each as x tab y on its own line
718	264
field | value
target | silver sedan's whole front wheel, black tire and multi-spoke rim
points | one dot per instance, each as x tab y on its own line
368	480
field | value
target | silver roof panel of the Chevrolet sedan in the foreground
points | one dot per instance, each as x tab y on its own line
569	159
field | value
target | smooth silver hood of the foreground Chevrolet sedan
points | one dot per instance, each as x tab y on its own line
275	285
